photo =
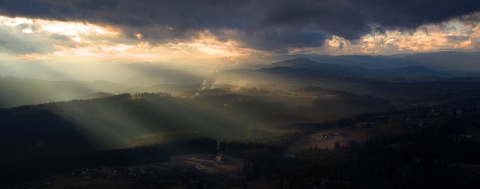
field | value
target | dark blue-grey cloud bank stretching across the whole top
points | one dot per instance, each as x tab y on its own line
265	24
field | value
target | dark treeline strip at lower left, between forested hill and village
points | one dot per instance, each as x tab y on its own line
24	169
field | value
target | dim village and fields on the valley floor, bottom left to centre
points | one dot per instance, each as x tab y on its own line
182	171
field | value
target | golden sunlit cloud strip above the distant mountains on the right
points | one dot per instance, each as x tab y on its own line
451	35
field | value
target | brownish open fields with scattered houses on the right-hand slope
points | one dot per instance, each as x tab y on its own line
386	127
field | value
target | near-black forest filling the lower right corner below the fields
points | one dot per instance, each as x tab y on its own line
420	159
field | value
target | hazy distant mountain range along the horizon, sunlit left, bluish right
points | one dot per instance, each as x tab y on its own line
356	73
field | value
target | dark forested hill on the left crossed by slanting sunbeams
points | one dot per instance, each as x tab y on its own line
110	122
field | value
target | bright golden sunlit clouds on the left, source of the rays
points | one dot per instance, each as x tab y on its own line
75	41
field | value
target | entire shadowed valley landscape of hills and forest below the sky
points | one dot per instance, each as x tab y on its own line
323	115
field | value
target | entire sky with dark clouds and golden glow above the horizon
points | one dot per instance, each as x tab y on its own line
227	32
